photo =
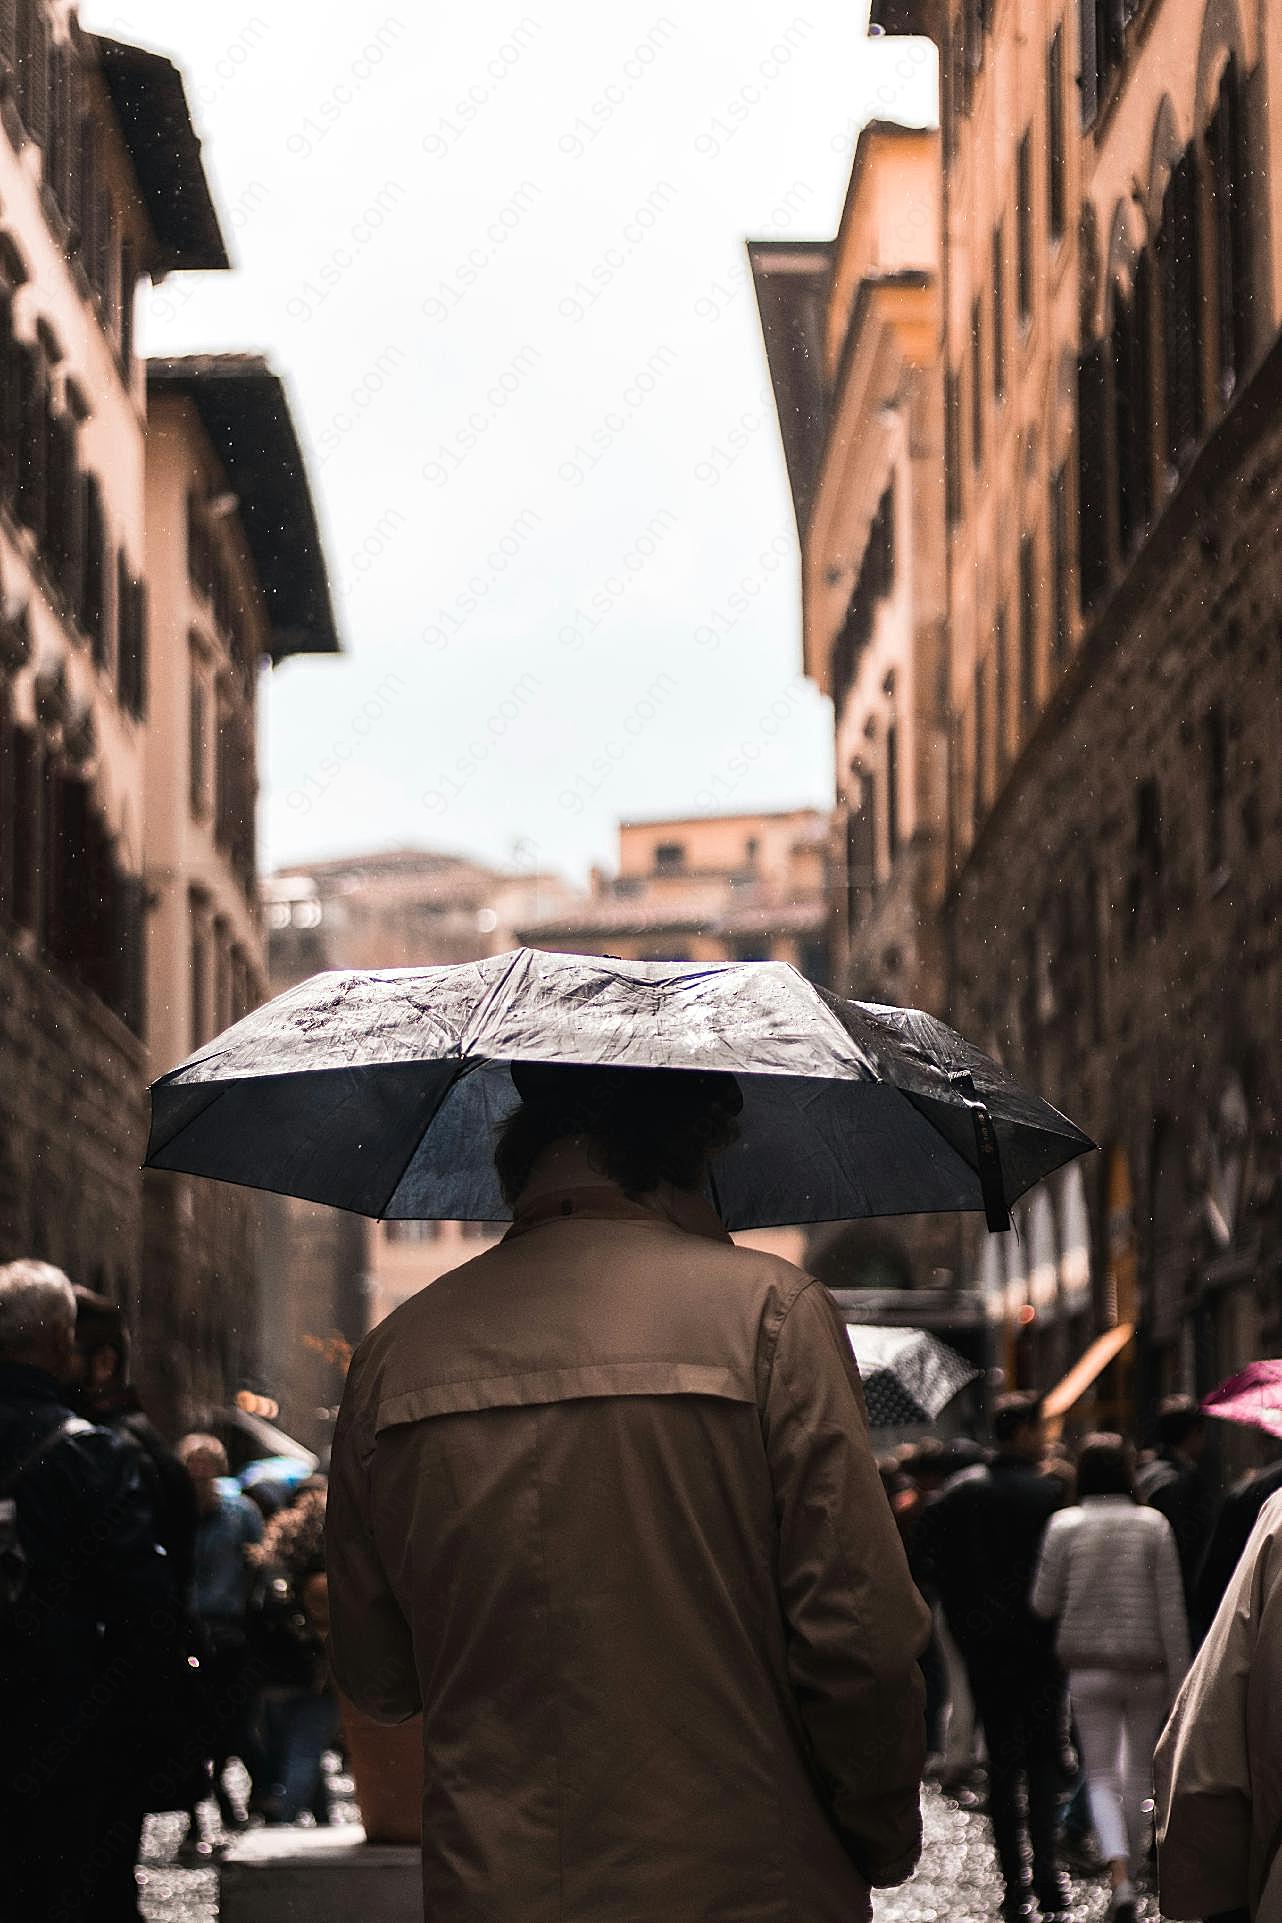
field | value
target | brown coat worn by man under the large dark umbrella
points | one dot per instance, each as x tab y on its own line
604	1507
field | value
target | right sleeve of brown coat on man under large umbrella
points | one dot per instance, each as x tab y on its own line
856	1624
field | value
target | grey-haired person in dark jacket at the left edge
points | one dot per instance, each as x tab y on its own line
82	1582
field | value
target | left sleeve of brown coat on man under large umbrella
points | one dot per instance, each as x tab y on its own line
370	1643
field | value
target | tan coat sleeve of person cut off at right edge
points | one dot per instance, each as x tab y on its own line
1202	1766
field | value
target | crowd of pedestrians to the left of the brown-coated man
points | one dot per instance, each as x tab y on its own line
155	1620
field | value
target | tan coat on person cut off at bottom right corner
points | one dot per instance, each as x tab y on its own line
1220	1762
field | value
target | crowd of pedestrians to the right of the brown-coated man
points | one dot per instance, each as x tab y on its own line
1070	1593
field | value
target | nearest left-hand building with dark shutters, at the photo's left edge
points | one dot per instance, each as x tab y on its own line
87	212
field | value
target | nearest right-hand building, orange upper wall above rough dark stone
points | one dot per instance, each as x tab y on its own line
1112	295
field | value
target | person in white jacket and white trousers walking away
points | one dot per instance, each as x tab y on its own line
1110	1578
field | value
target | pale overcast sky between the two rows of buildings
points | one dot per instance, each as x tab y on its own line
499	257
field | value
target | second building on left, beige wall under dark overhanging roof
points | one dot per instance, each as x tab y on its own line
237	578
